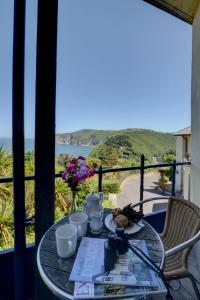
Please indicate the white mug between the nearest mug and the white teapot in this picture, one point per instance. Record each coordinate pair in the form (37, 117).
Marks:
(79, 220)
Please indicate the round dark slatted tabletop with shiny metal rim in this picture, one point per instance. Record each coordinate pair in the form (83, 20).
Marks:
(55, 271)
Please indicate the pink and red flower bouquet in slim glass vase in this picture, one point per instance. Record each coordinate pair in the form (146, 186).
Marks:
(76, 171)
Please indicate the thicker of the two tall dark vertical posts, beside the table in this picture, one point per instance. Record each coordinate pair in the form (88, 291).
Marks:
(45, 104)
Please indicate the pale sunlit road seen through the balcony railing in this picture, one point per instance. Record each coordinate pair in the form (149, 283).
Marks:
(130, 192)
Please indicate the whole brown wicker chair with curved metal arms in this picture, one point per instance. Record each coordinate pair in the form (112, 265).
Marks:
(181, 231)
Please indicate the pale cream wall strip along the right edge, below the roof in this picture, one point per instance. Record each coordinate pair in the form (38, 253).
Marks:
(195, 125)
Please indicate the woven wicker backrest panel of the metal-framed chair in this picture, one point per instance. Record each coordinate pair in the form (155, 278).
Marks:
(182, 223)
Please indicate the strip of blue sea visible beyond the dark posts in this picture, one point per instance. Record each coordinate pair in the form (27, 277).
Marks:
(75, 150)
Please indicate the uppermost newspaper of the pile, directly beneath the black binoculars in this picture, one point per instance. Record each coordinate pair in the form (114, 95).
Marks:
(89, 265)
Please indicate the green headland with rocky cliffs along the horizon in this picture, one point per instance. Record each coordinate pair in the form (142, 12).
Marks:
(145, 141)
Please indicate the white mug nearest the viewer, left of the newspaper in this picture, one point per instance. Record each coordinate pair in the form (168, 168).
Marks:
(66, 239)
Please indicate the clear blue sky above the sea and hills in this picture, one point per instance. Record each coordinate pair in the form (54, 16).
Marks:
(121, 64)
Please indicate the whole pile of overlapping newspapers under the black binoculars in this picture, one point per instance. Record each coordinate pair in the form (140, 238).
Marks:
(131, 276)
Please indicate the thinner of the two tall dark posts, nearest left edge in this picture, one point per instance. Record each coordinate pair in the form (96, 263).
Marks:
(18, 147)
